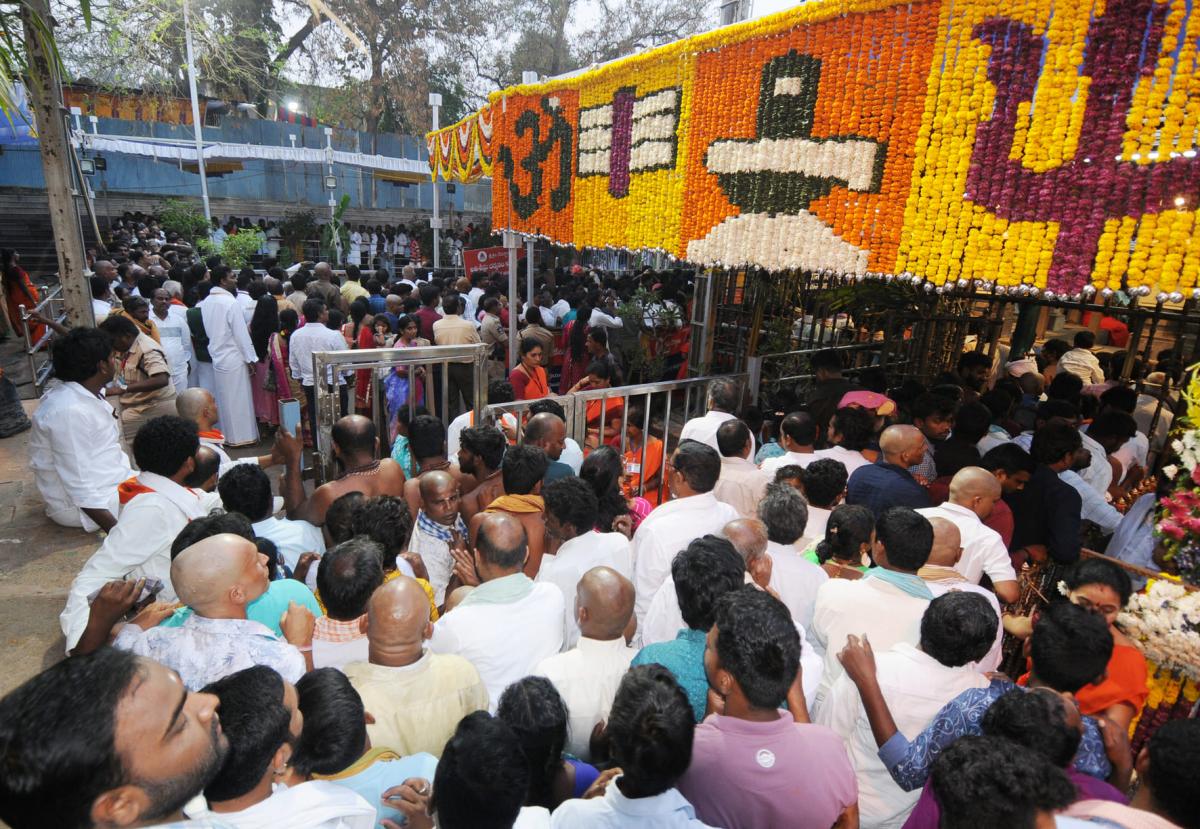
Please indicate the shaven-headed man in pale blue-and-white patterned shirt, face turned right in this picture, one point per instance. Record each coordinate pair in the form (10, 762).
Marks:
(218, 578)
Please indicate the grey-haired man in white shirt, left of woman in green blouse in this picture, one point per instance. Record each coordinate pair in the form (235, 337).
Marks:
(785, 515)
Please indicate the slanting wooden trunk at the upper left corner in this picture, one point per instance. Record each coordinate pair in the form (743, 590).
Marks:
(46, 103)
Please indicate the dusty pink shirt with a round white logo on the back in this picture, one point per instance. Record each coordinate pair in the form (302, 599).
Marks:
(747, 776)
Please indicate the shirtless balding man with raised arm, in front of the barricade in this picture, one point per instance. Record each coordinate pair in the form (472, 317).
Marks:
(357, 452)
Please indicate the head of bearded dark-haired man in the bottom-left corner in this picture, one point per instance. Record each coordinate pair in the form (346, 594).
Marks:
(104, 741)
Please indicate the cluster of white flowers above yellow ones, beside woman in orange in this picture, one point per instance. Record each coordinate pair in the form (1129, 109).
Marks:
(1166, 623)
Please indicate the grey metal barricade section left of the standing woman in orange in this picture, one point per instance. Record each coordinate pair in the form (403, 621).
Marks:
(327, 397)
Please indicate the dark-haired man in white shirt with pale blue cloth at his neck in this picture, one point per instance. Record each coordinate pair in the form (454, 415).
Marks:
(887, 605)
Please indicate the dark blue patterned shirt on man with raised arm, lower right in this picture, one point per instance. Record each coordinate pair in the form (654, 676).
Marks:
(909, 762)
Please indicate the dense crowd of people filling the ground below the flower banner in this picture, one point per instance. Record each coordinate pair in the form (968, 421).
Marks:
(787, 621)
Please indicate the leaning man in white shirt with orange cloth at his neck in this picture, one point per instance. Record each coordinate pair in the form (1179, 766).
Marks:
(158, 507)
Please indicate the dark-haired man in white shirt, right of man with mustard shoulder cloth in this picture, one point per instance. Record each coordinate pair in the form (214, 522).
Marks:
(572, 509)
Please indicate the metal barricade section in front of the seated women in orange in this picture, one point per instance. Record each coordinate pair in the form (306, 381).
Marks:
(671, 405)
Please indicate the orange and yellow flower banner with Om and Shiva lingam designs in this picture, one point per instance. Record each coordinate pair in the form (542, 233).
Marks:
(1049, 143)
